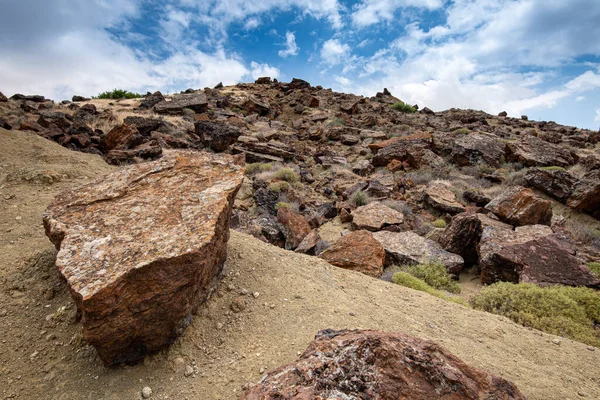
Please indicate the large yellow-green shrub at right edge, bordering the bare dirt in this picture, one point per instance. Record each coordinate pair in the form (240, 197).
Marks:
(559, 310)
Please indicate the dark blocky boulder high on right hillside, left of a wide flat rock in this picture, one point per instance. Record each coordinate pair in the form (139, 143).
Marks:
(477, 148)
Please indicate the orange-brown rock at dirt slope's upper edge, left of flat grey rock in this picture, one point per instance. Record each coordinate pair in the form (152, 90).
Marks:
(357, 251)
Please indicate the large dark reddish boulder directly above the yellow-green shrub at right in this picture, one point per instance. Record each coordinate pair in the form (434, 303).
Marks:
(531, 254)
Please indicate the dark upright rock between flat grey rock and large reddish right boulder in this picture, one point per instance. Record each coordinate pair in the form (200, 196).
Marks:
(462, 237)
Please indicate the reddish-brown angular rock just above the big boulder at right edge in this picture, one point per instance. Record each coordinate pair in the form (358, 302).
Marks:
(519, 206)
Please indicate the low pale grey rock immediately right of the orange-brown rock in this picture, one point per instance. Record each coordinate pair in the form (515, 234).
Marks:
(402, 248)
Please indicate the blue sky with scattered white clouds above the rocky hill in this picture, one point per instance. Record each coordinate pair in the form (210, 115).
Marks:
(539, 58)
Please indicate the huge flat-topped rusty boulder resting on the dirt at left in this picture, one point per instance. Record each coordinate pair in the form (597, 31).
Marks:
(141, 248)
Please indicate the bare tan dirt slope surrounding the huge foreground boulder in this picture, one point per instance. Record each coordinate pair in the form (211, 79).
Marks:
(236, 335)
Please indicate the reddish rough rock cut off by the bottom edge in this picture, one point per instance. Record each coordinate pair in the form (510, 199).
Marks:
(380, 366)
